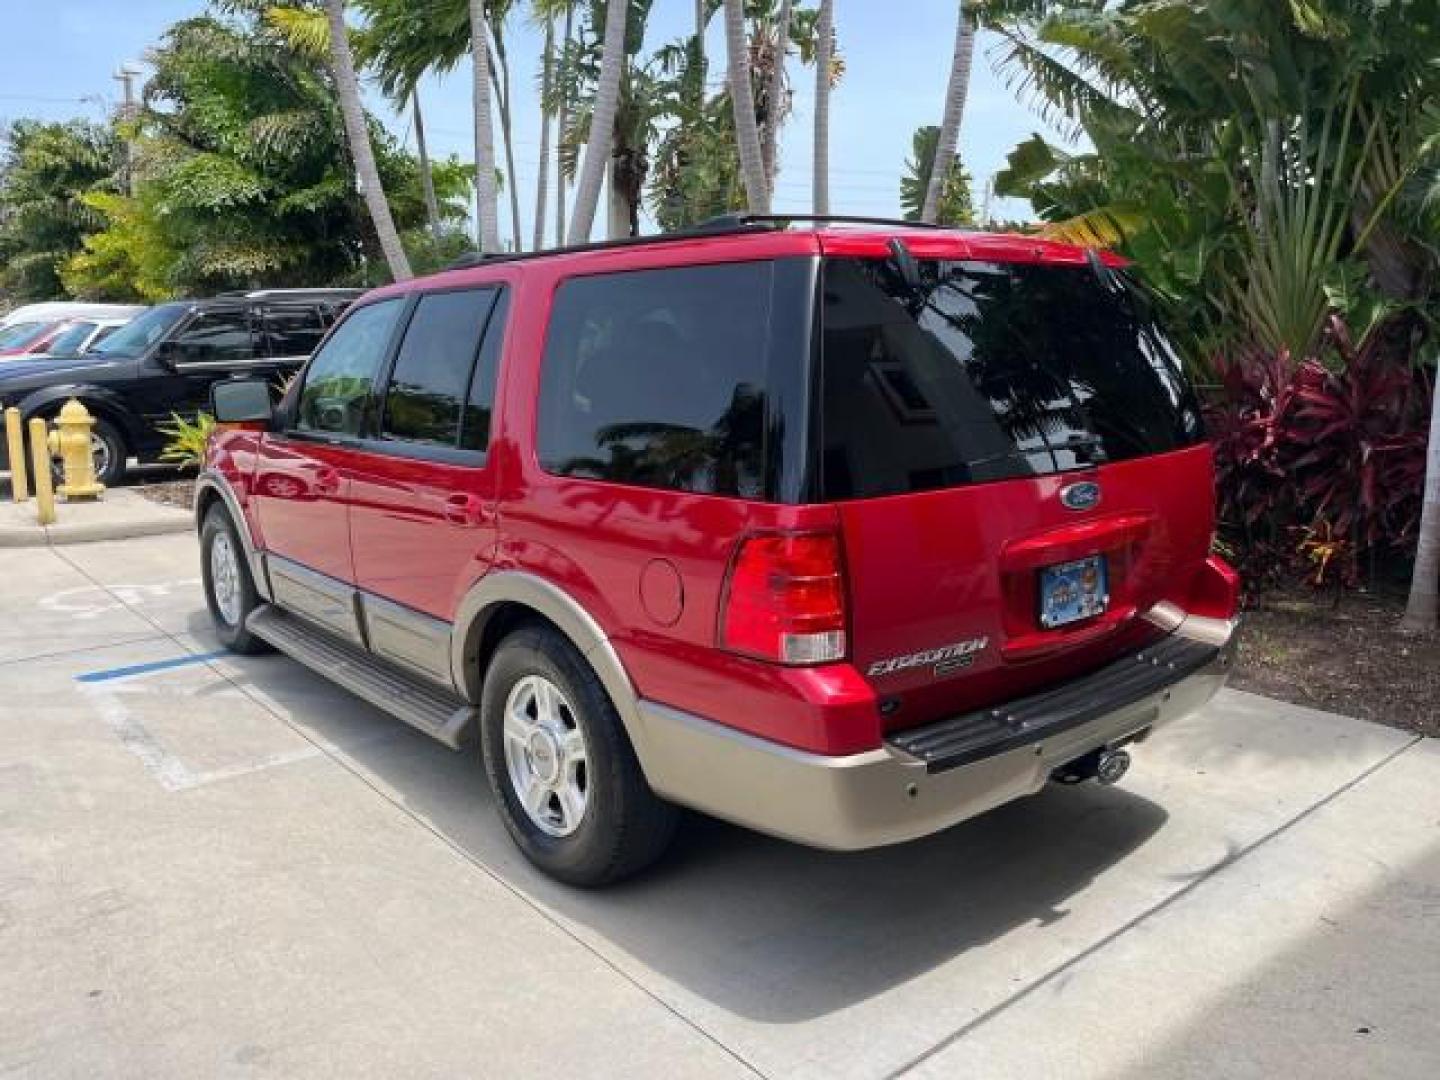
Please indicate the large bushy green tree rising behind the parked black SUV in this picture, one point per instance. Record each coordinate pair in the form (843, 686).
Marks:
(244, 176)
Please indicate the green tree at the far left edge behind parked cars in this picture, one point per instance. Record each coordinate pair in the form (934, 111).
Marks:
(45, 174)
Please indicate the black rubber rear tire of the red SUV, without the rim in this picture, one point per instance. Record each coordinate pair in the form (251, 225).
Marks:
(626, 826)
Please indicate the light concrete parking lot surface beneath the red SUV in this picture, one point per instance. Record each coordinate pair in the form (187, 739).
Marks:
(222, 866)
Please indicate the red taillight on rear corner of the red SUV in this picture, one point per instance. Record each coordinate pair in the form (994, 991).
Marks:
(786, 600)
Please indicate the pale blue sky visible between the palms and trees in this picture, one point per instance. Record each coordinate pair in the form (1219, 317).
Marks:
(61, 55)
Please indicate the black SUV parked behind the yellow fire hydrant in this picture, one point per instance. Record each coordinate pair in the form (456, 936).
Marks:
(165, 364)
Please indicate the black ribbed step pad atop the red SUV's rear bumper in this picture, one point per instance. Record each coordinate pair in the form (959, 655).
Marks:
(973, 737)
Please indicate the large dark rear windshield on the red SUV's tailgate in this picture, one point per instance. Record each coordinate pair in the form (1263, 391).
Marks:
(990, 372)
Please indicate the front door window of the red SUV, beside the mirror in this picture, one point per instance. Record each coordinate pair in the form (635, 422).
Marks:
(341, 377)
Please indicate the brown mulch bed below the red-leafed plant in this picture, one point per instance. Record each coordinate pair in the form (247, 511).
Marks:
(1350, 659)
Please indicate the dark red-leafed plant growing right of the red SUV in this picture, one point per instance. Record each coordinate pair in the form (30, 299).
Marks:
(1307, 450)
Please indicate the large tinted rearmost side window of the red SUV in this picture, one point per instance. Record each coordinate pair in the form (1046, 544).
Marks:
(659, 378)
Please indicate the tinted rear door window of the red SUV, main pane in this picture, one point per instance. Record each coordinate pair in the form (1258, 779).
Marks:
(426, 401)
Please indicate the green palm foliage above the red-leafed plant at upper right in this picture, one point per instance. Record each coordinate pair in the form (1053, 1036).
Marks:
(1245, 155)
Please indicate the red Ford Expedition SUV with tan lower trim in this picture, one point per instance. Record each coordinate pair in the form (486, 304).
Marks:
(843, 534)
